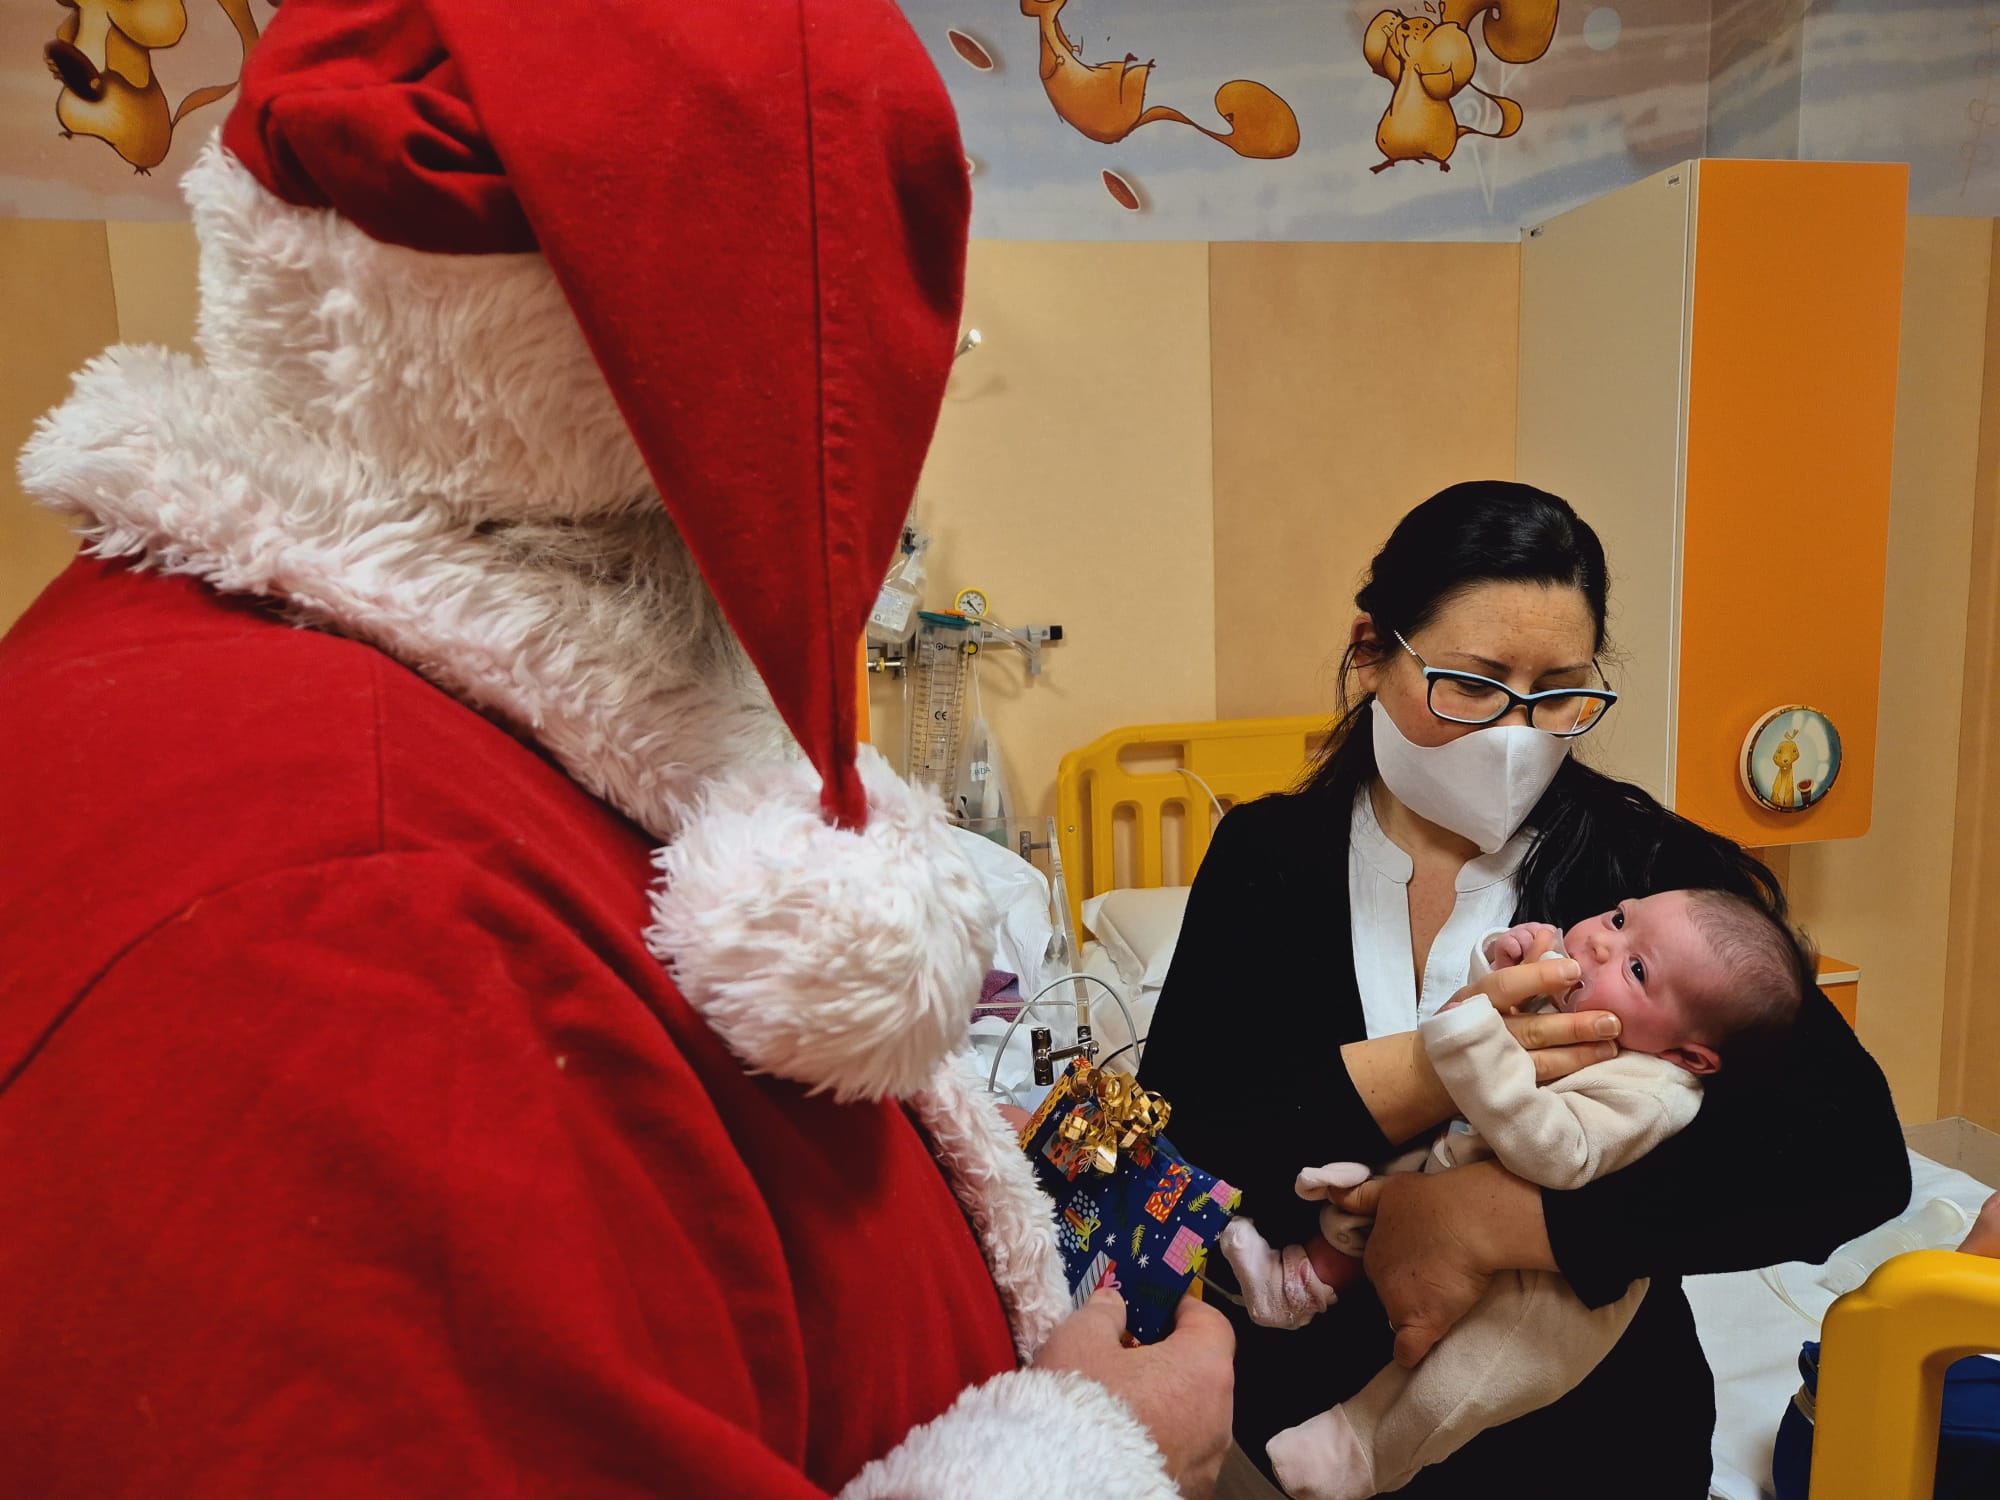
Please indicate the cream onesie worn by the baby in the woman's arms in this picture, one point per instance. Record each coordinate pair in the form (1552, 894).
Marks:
(1531, 1339)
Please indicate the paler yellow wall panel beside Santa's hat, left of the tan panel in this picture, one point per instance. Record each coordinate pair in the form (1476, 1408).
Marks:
(1071, 481)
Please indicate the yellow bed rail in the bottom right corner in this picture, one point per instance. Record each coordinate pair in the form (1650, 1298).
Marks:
(1883, 1357)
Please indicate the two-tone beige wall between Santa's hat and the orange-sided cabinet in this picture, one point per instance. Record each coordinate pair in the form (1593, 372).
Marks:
(1185, 455)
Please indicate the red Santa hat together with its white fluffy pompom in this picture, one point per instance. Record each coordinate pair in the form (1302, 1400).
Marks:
(757, 211)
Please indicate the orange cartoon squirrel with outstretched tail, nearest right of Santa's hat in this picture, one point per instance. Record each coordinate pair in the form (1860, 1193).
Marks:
(1107, 101)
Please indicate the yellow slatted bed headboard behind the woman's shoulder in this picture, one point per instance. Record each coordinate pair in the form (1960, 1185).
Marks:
(1135, 777)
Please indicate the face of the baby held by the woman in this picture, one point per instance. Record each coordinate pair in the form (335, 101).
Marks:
(1649, 965)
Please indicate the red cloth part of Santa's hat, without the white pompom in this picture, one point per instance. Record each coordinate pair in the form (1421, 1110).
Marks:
(757, 211)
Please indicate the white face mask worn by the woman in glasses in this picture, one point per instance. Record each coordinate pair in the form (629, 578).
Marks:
(1483, 785)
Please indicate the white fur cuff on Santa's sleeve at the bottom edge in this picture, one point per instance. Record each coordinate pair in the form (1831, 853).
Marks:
(1027, 1435)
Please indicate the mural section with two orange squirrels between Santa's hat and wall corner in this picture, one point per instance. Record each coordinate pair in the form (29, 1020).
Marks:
(1443, 119)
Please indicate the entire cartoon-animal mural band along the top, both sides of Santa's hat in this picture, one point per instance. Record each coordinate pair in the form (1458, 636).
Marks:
(1203, 119)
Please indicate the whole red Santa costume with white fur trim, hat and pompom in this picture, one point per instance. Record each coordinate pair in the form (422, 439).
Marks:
(469, 1021)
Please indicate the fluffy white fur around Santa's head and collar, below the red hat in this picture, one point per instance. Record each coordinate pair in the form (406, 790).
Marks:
(421, 453)
